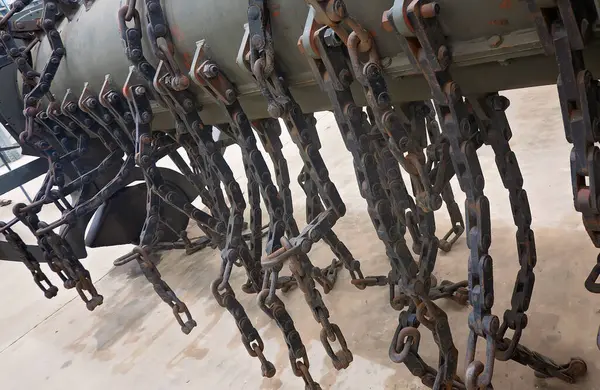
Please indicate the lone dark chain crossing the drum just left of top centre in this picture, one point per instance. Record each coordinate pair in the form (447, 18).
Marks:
(302, 129)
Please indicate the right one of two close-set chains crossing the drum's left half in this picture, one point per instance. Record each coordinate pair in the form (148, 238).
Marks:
(171, 85)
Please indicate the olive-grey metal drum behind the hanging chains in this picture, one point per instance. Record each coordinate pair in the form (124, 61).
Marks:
(94, 48)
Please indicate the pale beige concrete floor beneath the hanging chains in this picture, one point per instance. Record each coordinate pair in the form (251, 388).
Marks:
(132, 341)
